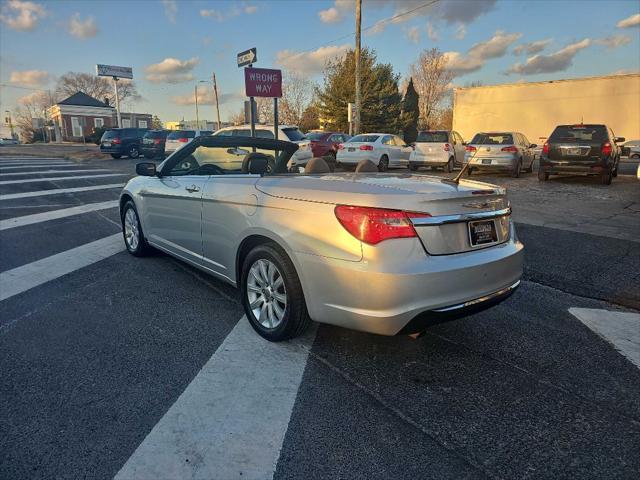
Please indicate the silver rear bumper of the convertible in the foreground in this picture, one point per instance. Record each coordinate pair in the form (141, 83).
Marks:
(386, 297)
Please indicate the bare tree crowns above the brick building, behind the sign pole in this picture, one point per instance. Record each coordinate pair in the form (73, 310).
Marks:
(97, 87)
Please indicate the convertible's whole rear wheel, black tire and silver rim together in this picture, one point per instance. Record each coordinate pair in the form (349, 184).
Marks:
(259, 284)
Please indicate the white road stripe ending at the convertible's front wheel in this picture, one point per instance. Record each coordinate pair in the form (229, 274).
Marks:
(26, 277)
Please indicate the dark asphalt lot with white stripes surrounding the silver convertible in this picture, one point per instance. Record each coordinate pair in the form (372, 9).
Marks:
(144, 367)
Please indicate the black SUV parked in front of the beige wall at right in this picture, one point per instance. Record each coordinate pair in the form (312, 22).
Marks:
(590, 149)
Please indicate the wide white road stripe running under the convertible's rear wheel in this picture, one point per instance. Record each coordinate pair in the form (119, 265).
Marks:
(231, 420)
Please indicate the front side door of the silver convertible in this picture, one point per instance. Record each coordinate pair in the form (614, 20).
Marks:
(173, 208)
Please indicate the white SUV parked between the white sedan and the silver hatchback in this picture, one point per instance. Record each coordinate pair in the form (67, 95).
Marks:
(437, 148)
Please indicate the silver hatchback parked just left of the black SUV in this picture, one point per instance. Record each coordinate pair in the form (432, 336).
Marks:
(501, 151)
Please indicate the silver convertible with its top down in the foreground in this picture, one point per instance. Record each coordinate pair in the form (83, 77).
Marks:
(377, 252)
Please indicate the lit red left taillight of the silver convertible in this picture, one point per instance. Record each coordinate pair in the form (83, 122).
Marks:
(374, 225)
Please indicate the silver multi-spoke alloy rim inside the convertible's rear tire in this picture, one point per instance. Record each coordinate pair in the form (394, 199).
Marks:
(266, 293)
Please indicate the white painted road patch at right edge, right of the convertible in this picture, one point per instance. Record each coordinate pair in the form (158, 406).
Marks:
(622, 329)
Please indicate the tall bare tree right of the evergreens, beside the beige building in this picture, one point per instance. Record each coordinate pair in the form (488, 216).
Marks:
(432, 82)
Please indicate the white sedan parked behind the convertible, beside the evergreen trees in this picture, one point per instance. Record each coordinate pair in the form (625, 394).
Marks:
(382, 149)
